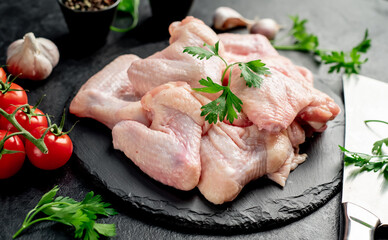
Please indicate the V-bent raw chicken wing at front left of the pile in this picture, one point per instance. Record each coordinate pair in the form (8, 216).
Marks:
(167, 150)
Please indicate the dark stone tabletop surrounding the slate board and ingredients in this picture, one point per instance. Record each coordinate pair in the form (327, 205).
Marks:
(338, 24)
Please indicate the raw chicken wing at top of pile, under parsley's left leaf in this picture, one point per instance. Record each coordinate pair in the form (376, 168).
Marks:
(171, 64)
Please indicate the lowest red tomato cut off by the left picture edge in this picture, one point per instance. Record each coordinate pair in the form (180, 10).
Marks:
(11, 163)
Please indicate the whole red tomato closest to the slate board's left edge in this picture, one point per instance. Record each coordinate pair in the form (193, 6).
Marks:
(59, 150)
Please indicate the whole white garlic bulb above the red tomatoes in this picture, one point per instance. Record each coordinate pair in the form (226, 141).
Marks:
(32, 58)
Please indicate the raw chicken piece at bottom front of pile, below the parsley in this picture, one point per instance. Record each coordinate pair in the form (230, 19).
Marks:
(233, 156)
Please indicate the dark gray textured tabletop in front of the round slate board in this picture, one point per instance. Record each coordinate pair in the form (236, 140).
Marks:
(131, 224)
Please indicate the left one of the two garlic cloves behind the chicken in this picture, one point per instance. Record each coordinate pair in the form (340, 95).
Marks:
(227, 18)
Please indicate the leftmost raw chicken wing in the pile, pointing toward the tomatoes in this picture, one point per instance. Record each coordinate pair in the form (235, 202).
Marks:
(108, 96)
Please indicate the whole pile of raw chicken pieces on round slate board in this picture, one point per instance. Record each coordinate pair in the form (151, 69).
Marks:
(155, 116)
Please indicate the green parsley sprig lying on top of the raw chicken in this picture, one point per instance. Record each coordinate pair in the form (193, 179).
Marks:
(227, 103)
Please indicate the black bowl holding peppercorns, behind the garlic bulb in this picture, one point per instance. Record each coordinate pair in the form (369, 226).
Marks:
(89, 28)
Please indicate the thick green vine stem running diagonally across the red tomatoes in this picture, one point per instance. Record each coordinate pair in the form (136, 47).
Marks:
(39, 143)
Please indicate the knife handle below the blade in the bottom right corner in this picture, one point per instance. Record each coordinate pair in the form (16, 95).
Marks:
(359, 222)
